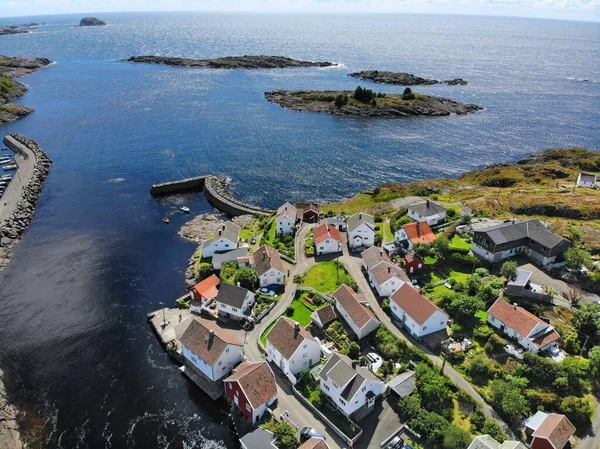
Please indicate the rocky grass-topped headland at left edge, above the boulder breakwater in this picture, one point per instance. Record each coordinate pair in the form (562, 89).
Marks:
(11, 68)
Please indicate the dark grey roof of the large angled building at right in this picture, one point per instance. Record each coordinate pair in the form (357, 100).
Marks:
(519, 229)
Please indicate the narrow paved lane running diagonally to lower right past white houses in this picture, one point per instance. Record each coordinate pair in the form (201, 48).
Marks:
(354, 266)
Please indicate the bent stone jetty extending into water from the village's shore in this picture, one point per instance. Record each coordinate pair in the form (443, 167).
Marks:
(215, 191)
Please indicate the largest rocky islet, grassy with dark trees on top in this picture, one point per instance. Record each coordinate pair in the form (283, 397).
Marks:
(366, 103)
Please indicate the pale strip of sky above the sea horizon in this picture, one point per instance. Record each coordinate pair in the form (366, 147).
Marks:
(586, 10)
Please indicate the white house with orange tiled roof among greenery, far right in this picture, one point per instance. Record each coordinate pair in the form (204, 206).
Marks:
(531, 332)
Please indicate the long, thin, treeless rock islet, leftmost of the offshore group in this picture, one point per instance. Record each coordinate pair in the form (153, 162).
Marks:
(231, 62)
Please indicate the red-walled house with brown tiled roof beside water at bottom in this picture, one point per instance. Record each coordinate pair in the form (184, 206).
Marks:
(252, 388)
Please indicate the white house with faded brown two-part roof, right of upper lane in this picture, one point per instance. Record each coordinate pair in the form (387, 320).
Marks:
(384, 276)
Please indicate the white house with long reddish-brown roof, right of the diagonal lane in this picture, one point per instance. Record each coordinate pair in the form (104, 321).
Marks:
(418, 315)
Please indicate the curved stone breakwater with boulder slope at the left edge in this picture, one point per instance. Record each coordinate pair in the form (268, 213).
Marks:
(12, 228)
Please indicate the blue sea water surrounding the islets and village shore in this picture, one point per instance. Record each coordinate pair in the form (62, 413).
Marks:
(79, 356)
